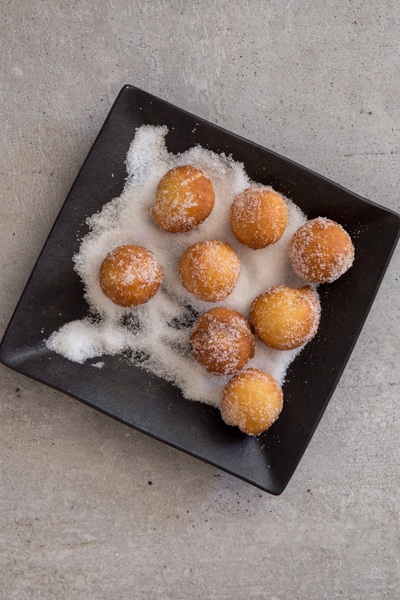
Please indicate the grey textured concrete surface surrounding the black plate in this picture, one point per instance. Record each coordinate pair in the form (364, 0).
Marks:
(317, 82)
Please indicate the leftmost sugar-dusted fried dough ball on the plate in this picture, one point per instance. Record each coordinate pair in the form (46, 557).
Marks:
(130, 275)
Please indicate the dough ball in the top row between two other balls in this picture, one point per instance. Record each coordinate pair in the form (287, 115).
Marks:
(258, 217)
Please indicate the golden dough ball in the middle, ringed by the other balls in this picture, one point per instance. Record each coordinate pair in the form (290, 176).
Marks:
(209, 270)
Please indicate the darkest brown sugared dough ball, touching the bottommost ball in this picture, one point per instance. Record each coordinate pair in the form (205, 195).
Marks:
(222, 341)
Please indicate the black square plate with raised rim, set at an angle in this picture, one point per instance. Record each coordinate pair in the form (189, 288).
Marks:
(53, 296)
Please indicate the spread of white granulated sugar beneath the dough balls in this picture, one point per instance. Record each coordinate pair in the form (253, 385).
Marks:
(156, 335)
